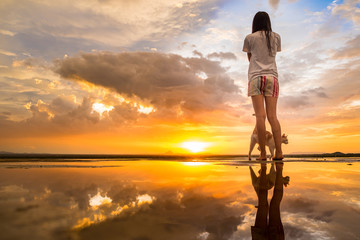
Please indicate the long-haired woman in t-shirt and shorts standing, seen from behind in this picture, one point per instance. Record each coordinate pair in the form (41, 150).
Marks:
(263, 87)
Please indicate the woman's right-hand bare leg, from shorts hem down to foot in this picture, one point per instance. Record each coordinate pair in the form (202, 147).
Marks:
(275, 125)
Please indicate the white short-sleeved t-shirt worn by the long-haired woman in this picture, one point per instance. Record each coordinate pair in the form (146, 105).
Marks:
(261, 63)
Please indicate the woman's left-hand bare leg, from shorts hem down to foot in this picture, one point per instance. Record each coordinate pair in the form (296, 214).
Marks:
(258, 104)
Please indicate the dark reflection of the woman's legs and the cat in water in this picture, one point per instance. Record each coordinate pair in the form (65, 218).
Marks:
(274, 229)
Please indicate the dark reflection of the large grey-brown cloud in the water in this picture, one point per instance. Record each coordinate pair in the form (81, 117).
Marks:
(193, 215)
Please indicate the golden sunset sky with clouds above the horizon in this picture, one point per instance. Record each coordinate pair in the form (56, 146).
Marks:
(140, 76)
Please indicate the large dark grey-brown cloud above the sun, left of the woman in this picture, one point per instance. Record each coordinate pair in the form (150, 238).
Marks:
(165, 80)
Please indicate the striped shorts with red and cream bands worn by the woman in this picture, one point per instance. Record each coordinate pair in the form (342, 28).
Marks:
(264, 85)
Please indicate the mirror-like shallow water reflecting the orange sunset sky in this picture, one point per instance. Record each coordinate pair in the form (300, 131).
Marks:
(143, 199)
